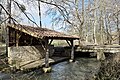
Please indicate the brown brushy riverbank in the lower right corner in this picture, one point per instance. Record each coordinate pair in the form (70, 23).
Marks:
(110, 69)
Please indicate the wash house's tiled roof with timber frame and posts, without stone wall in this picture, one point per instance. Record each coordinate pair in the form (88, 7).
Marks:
(22, 35)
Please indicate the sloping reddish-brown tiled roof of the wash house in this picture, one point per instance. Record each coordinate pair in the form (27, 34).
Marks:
(42, 32)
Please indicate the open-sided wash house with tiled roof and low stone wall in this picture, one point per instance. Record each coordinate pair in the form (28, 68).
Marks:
(28, 44)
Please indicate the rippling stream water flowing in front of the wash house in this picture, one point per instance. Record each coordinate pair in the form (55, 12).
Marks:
(81, 69)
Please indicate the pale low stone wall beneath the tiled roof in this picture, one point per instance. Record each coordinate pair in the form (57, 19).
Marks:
(18, 56)
